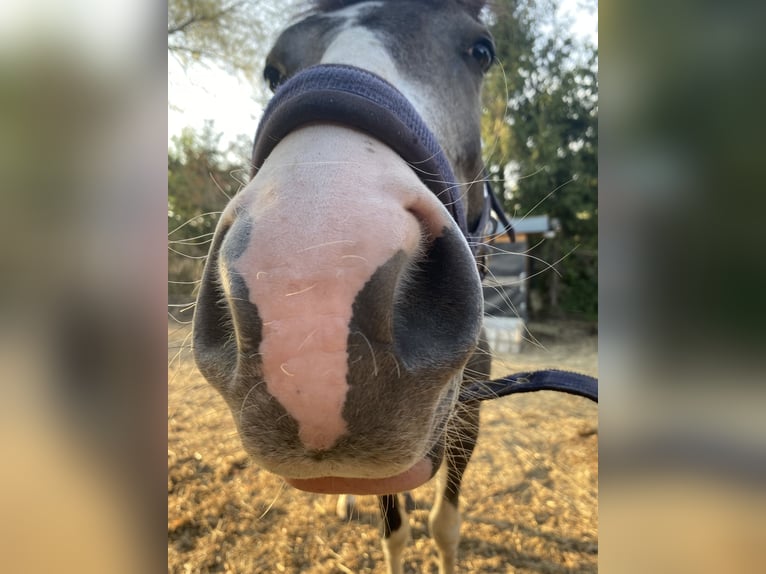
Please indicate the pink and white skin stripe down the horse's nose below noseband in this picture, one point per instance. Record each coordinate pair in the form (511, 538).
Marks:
(332, 205)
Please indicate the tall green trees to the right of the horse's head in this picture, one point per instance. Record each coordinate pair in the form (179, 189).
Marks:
(541, 135)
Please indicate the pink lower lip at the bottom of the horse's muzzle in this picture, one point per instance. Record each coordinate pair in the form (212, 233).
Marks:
(411, 478)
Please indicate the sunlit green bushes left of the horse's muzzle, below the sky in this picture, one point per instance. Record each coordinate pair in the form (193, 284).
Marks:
(200, 180)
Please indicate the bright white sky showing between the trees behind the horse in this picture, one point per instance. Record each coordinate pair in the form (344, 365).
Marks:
(211, 94)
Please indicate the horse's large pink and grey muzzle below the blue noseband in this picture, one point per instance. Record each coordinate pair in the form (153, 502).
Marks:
(338, 307)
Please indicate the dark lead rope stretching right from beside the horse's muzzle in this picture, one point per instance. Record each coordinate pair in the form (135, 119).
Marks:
(546, 380)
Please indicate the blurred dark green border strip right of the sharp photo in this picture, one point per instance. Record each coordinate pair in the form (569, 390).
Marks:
(682, 441)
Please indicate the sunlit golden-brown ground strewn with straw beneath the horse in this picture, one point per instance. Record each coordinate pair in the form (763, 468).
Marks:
(530, 497)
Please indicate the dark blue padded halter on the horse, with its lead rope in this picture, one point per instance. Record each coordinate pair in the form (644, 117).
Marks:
(358, 98)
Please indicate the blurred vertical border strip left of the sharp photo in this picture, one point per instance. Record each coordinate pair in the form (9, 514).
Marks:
(83, 311)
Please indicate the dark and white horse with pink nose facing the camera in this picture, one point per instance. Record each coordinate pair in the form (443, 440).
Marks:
(340, 309)
